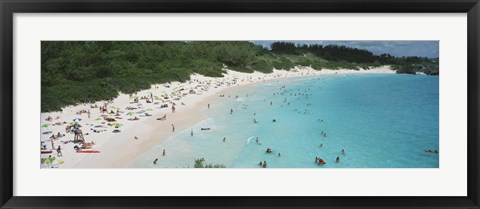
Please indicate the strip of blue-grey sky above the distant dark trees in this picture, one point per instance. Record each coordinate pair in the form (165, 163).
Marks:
(395, 48)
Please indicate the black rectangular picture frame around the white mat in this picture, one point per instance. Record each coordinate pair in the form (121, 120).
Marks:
(9, 7)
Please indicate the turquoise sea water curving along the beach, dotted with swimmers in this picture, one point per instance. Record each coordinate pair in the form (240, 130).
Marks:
(380, 120)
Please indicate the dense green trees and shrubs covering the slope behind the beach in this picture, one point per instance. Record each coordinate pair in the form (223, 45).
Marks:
(87, 71)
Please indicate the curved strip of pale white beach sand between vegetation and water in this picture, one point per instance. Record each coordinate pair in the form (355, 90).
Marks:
(120, 149)
